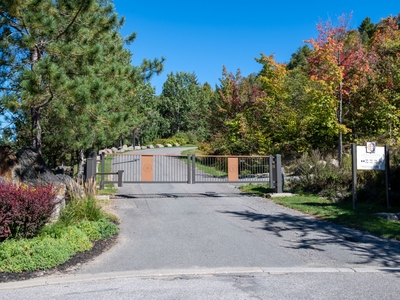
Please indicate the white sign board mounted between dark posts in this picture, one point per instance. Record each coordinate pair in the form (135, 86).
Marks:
(370, 160)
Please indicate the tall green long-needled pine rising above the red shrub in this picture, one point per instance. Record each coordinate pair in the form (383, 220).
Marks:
(64, 70)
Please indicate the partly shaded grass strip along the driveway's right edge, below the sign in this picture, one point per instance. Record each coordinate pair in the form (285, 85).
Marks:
(341, 213)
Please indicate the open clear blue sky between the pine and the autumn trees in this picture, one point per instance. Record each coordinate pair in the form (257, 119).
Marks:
(202, 36)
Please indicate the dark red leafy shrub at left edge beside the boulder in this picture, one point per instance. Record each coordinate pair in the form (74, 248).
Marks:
(24, 210)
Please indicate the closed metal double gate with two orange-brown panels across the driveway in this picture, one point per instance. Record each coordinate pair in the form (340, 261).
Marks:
(137, 168)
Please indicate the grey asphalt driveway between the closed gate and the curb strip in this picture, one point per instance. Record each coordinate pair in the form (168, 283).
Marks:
(213, 226)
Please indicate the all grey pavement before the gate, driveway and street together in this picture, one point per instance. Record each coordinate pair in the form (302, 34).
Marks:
(202, 241)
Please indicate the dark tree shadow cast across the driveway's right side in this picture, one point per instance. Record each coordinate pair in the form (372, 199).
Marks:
(317, 235)
